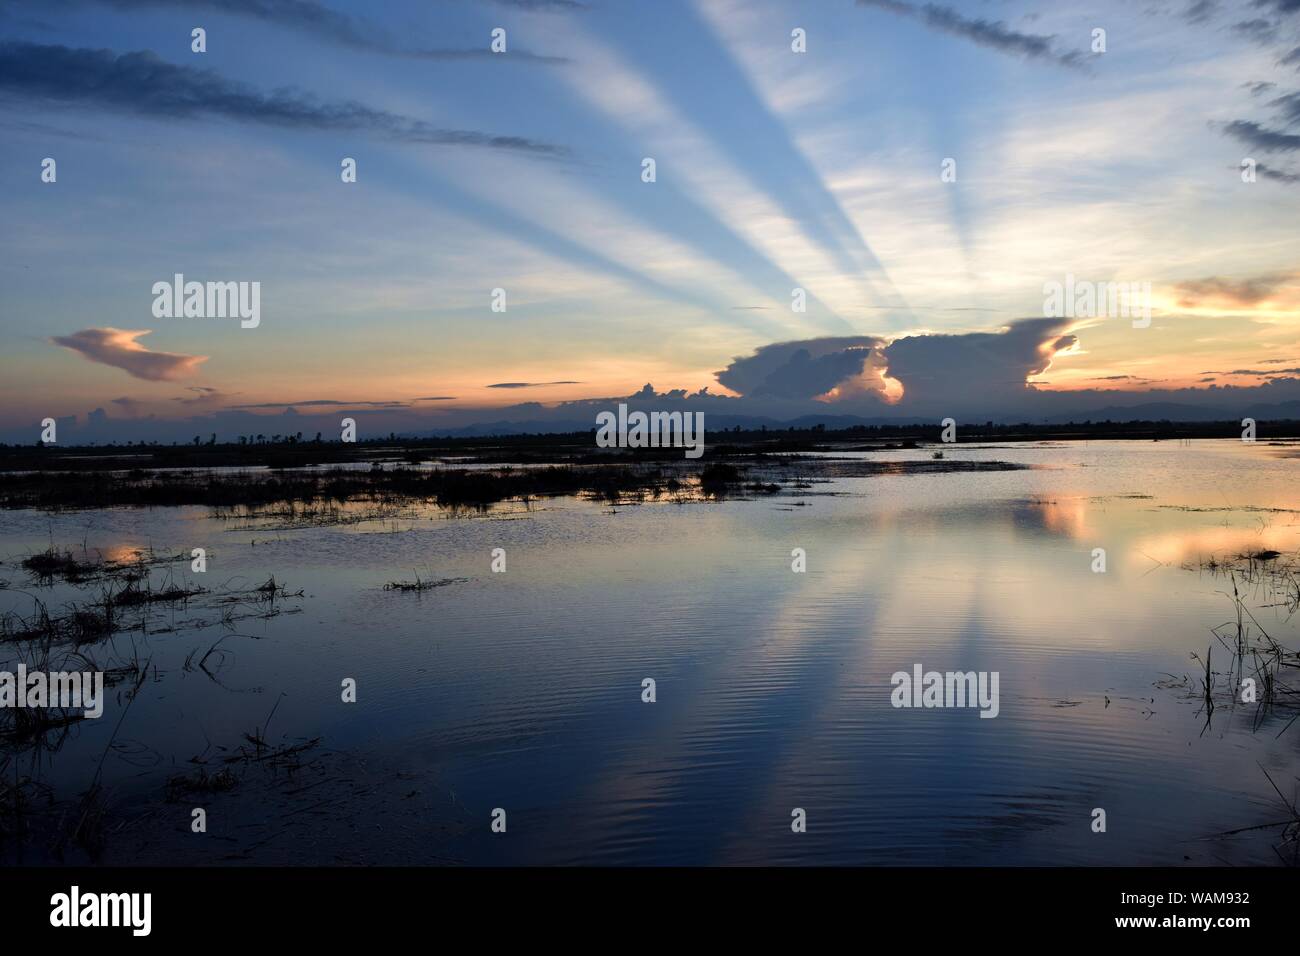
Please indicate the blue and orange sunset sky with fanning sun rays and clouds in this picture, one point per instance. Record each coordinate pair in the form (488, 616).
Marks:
(920, 175)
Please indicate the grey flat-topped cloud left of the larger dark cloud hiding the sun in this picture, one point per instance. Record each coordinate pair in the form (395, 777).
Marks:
(800, 370)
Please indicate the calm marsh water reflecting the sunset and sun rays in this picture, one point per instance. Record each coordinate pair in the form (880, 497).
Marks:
(523, 690)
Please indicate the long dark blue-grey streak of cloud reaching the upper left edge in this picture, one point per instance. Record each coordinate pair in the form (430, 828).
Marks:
(142, 83)
